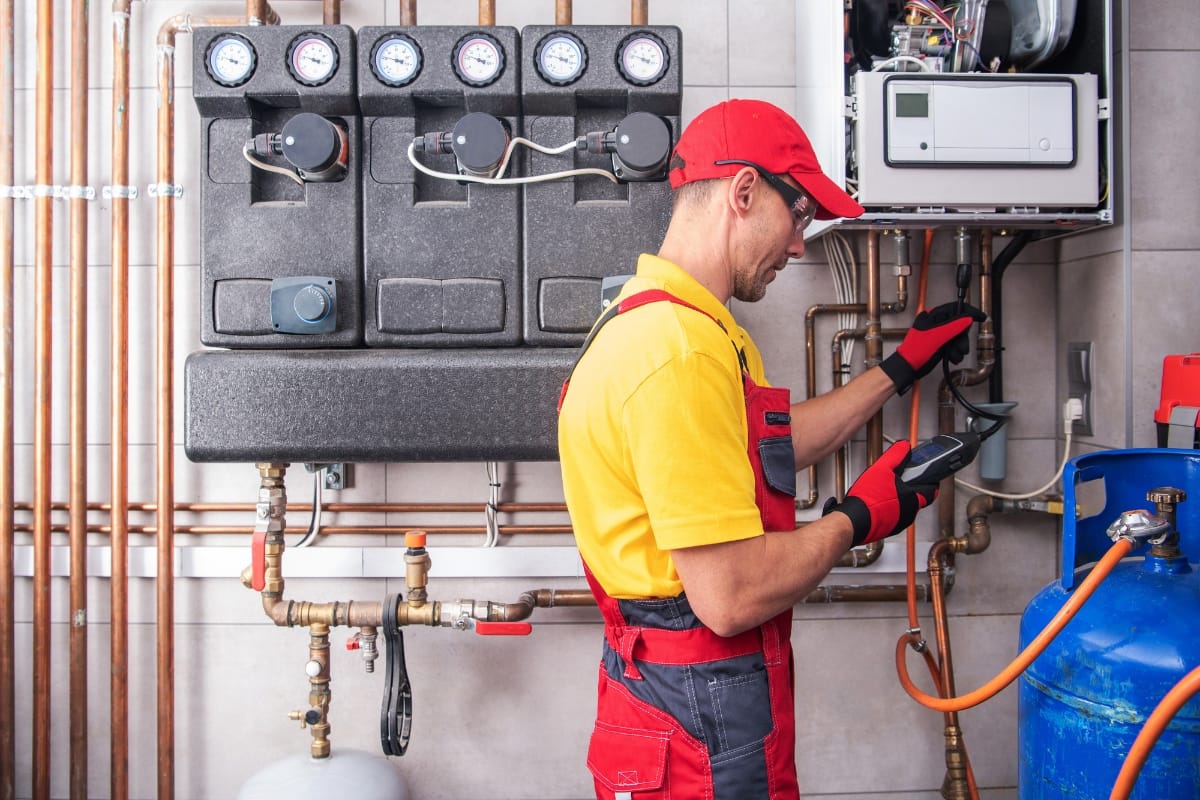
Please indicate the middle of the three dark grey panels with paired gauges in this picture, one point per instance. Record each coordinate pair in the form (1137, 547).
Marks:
(448, 244)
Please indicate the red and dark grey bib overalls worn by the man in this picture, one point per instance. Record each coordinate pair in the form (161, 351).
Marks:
(683, 713)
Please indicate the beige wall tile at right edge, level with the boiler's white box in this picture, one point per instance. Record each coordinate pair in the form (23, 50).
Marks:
(1163, 157)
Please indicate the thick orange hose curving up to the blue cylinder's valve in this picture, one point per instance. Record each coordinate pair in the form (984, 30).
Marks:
(993, 688)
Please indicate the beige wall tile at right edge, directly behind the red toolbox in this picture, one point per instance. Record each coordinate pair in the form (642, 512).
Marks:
(1165, 302)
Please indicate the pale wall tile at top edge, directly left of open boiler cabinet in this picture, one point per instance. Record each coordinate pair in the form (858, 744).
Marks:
(763, 45)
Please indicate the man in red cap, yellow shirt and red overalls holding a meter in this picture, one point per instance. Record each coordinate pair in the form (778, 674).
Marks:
(680, 473)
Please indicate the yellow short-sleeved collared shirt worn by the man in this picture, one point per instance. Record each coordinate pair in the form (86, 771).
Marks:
(652, 437)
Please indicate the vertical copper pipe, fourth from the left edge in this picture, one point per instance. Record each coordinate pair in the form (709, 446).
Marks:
(119, 466)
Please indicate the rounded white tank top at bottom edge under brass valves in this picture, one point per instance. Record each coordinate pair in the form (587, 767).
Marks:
(345, 773)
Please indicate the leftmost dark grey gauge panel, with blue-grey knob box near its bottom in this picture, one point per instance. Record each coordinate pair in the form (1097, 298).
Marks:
(259, 226)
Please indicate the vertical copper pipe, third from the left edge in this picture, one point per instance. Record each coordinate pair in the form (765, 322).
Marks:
(79, 459)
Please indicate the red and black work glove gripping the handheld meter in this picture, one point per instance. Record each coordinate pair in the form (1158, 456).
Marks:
(880, 504)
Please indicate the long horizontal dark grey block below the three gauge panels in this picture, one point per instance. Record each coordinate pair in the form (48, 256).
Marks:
(374, 405)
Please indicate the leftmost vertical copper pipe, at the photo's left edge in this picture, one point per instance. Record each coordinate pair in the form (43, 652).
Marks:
(8, 619)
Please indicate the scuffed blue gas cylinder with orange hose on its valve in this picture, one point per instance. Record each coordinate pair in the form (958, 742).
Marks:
(1083, 702)
